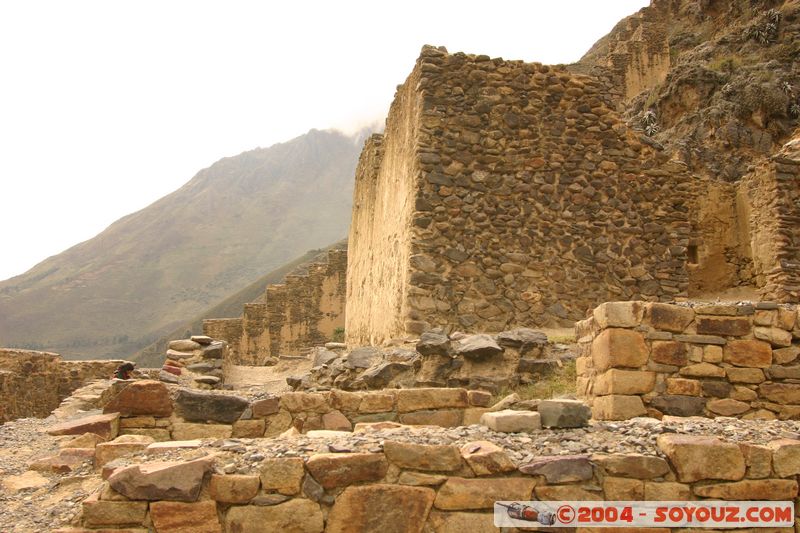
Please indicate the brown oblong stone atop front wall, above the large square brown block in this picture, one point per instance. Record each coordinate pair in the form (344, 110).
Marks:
(341, 469)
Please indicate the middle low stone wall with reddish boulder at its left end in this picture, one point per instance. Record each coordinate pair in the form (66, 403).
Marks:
(150, 408)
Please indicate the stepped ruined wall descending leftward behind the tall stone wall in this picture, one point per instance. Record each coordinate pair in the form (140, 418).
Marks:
(304, 311)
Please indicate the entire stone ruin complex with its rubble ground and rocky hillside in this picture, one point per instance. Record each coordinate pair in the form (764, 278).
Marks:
(561, 283)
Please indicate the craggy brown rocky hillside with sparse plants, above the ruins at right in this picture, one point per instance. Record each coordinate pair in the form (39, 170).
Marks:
(718, 80)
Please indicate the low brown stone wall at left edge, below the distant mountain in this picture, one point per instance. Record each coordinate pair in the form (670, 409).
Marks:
(33, 384)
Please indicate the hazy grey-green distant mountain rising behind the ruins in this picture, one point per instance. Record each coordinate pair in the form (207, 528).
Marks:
(149, 271)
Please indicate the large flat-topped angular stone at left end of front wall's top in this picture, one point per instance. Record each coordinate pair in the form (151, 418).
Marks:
(174, 481)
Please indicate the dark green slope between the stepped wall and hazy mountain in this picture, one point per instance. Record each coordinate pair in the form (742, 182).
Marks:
(153, 355)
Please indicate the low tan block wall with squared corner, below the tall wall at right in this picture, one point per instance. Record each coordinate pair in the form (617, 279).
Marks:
(652, 359)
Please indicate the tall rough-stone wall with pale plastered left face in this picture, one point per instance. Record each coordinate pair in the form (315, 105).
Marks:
(532, 201)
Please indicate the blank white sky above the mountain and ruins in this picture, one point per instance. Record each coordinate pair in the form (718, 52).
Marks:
(105, 106)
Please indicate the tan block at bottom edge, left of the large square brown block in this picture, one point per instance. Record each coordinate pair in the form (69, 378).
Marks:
(297, 516)
